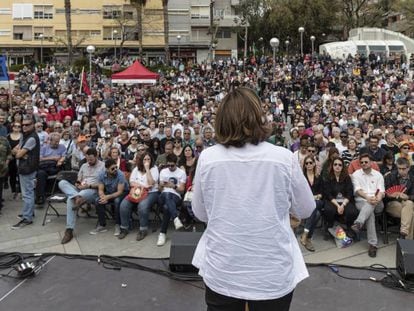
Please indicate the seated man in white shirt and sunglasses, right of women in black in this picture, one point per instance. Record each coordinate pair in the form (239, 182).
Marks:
(369, 192)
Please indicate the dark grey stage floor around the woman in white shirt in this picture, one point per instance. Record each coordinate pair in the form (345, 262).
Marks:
(75, 284)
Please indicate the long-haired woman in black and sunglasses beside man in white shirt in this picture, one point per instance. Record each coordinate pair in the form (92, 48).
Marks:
(338, 196)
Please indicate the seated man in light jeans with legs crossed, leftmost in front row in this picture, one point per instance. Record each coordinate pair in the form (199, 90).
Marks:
(85, 190)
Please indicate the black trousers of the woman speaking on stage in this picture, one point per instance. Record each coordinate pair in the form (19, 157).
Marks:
(217, 302)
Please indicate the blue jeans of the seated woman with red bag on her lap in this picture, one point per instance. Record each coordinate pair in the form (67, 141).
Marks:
(144, 208)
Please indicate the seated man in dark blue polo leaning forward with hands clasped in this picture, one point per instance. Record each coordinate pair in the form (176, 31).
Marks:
(112, 188)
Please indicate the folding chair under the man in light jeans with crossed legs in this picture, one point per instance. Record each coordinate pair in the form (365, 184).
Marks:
(57, 196)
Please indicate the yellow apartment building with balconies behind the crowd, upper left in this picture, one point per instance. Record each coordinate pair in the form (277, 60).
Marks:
(29, 28)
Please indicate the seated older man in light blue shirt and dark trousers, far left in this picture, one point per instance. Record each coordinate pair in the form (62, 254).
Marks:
(52, 156)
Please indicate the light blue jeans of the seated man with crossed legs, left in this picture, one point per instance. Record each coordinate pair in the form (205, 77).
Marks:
(71, 191)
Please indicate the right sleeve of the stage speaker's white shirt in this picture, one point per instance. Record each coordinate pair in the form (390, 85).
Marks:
(303, 202)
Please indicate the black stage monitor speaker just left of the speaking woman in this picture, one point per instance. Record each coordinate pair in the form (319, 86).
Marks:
(183, 245)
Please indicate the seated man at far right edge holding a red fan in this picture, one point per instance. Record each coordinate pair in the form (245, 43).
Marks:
(400, 203)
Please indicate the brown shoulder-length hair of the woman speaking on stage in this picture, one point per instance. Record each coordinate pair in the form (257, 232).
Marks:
(240, 119)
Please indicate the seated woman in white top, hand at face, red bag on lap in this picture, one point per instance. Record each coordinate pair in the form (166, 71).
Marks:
(144, 175)
